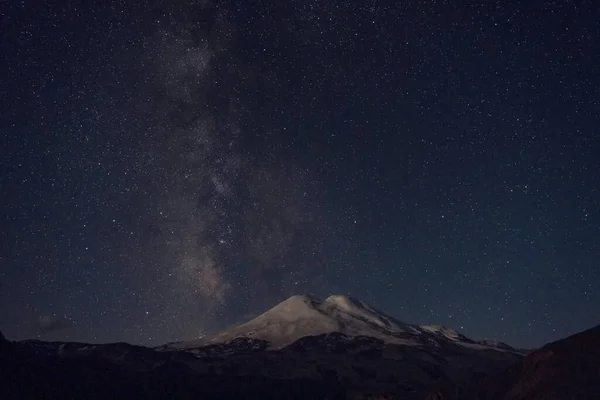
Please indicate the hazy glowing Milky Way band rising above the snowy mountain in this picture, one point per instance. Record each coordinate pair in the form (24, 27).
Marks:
(230, 223)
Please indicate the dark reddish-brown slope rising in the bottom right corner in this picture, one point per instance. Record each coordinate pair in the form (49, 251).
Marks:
(565, 369)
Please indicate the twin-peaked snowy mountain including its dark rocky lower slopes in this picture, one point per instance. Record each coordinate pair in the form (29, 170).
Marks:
(344, 340)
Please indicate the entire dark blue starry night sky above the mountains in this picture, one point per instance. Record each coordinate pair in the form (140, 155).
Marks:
(168, 169)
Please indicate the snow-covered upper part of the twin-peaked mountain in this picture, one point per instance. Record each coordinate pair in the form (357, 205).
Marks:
(302, 315)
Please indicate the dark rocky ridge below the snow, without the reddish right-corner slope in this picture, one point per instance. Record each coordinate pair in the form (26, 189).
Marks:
(329, 366)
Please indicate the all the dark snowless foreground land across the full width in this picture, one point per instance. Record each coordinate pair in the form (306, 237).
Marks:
(329, 366)
